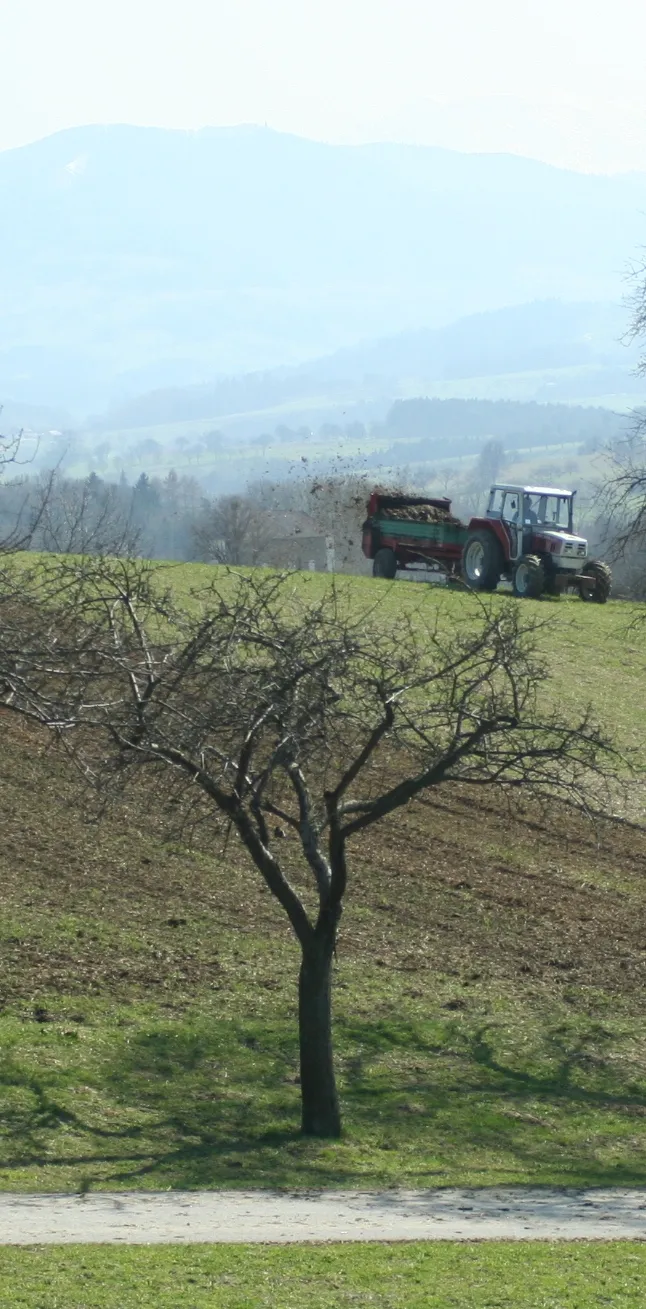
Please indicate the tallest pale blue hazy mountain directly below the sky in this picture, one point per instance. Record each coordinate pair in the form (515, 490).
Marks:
(139, 259)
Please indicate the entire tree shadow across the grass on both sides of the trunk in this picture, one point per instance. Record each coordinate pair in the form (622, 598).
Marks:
(210, 1105)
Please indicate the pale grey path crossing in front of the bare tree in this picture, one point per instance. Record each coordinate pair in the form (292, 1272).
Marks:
(141, 1218)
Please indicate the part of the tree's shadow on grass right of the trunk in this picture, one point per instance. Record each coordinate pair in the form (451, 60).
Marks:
(583, 1109)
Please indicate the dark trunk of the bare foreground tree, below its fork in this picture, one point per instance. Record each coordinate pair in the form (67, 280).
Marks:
(320, 1100)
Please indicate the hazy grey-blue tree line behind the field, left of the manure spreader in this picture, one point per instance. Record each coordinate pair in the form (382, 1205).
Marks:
(173, 519)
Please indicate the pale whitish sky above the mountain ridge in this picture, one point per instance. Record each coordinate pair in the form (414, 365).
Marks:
(559, 81)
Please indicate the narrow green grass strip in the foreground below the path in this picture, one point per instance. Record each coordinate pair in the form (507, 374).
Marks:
(403, 1277)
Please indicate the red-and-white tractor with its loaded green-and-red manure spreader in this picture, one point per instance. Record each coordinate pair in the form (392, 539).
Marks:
(526, 536)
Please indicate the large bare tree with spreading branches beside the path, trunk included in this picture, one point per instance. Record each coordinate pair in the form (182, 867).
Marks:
(288, 718)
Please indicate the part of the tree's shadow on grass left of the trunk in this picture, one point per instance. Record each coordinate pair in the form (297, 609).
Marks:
(194, 1107)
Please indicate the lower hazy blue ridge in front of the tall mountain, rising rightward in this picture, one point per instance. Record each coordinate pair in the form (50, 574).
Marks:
(563, 351)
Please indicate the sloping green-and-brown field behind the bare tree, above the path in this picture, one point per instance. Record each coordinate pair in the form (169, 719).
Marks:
(490, 982)
